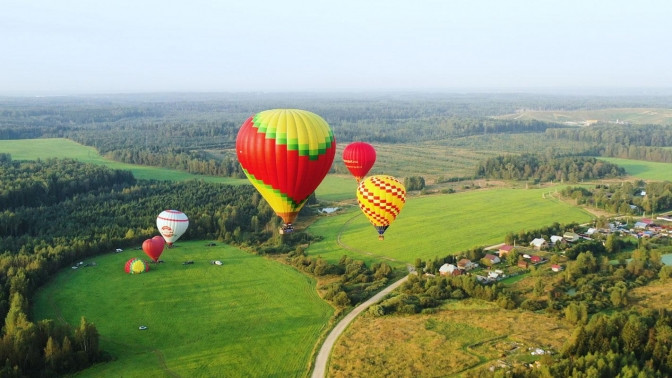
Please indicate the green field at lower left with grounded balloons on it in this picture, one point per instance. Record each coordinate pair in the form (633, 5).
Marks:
(249, 317)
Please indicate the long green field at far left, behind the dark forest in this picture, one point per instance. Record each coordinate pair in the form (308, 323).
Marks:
(32, 149)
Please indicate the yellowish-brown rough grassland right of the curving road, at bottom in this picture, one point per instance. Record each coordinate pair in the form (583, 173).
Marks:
(463, 337)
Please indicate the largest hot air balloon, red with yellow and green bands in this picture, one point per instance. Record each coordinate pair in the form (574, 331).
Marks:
(285, 153)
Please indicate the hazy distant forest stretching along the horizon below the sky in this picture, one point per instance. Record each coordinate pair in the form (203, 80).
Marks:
(197, 133)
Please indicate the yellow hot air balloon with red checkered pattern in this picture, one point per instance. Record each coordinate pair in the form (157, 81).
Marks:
(381, 198)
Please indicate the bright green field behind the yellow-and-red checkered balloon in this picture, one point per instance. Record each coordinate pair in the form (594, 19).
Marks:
(440, 225)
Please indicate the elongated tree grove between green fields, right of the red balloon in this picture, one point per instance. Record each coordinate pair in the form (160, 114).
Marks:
(542, 168)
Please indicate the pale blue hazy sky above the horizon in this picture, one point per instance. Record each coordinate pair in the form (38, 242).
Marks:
(50, 47)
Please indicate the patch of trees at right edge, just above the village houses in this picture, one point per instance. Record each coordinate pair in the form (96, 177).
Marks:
(625, 198)
